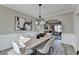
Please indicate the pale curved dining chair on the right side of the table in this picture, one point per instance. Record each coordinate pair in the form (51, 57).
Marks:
(44, 48)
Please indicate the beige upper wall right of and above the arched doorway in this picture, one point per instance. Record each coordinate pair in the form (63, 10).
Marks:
(66, 19)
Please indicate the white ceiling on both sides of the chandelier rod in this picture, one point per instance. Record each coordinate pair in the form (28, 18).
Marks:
(46, 9)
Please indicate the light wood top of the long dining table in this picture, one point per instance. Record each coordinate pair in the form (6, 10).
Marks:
(33, 42)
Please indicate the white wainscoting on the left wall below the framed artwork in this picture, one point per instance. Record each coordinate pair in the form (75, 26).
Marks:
(6, 40)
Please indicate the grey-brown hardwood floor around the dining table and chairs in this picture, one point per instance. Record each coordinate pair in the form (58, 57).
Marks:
(68, 50)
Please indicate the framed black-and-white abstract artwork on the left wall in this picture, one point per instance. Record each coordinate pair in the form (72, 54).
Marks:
(22, 24)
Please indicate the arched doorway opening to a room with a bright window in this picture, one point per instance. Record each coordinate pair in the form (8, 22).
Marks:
(54, 27)
